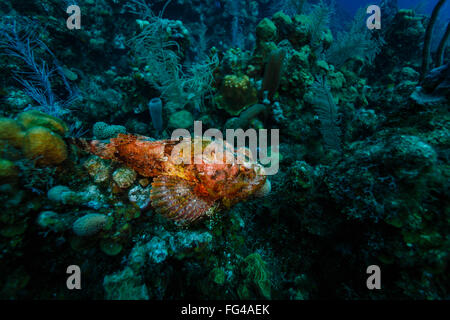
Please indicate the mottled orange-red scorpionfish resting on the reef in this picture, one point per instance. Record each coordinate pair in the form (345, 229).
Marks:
(185, 191)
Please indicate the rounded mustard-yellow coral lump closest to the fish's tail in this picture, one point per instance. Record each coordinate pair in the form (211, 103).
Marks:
(45, 146)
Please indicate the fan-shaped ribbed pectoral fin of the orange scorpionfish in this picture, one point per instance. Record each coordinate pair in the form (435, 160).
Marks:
(175, 199)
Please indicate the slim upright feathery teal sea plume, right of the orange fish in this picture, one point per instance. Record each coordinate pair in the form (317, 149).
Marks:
(327, 111)
